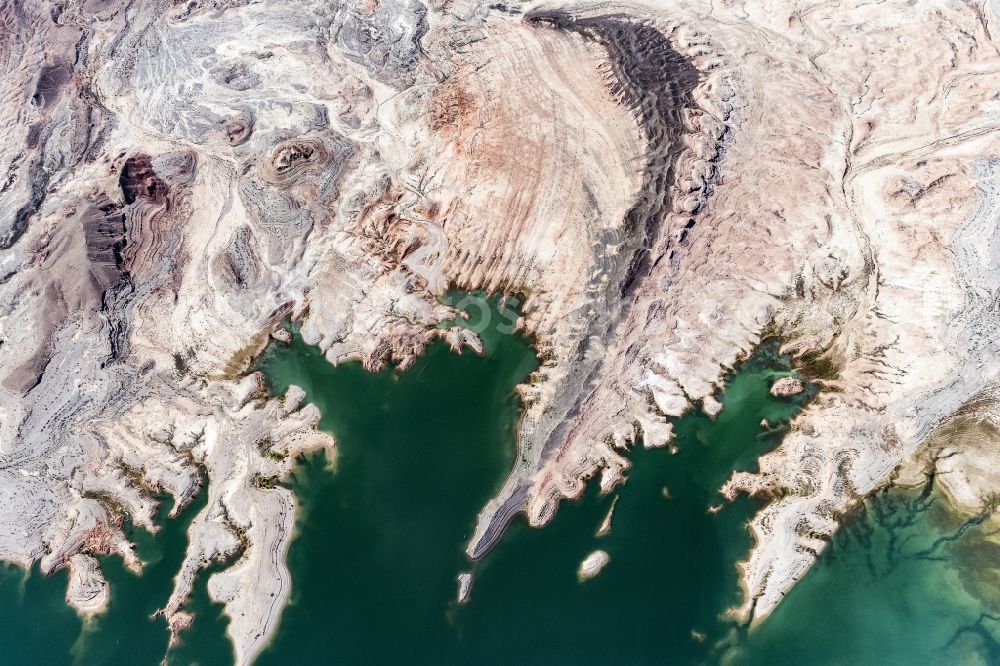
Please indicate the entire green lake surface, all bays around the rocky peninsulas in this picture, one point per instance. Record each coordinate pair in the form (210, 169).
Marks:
(382, 531)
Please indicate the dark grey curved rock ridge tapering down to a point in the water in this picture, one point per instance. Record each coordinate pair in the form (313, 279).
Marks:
(654, 82)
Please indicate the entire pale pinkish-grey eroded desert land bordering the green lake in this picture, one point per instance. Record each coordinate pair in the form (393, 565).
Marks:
(667, 184)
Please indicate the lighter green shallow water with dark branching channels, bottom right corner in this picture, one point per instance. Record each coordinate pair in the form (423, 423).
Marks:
(905, 581)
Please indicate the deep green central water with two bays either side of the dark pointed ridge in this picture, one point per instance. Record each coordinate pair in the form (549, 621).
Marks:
(381, 539)
